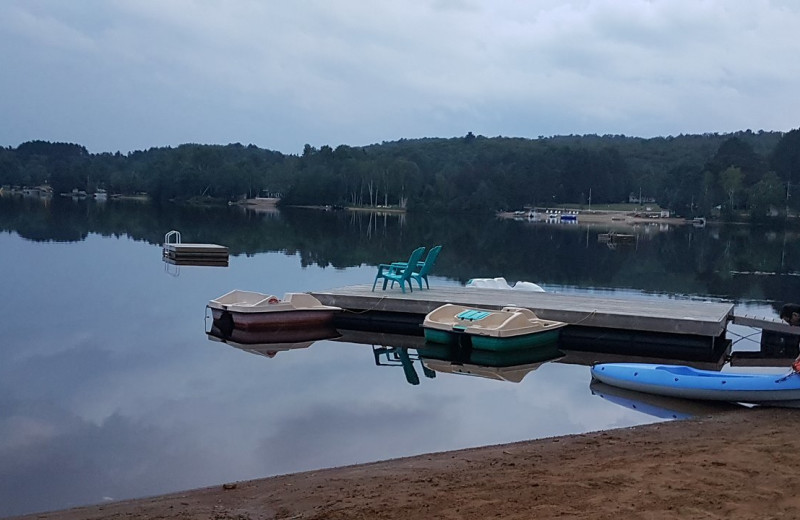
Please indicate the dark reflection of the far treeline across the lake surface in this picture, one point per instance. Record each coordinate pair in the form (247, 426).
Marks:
(721, 261)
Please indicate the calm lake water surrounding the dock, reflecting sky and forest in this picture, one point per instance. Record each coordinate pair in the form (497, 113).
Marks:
(110, 388)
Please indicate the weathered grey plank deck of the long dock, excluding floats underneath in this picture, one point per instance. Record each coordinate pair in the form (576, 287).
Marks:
(705, 318)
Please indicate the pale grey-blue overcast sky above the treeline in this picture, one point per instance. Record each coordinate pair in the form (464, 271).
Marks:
(132, 74)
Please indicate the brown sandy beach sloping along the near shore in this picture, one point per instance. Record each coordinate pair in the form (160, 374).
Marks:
(742, 464)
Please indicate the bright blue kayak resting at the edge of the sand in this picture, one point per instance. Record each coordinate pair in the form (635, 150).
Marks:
(691, 383)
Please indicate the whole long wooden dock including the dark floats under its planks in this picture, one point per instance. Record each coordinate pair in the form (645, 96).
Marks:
(648, 323)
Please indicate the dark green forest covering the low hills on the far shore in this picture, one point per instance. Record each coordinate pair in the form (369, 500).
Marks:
(757, 173)
